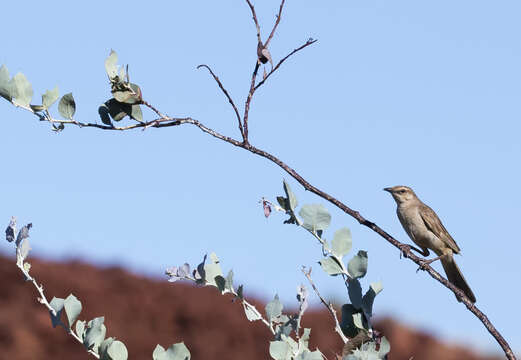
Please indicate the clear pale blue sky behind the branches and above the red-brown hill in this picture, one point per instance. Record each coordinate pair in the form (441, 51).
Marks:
(404, 92)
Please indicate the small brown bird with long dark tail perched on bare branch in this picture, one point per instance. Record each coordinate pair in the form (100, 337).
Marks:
(425, 229)
